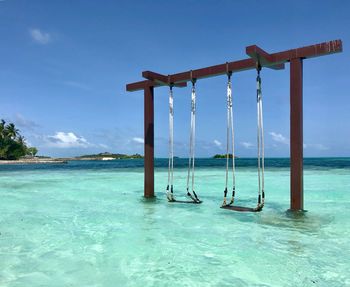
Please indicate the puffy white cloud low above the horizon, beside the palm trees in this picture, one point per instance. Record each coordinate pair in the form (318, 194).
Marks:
(67, 140)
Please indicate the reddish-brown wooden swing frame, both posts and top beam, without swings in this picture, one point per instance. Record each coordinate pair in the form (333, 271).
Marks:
(257, 56)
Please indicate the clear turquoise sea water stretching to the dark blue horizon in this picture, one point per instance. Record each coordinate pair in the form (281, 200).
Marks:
(87, 224)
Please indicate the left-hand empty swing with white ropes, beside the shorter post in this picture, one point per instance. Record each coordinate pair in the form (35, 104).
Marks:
(193, 198)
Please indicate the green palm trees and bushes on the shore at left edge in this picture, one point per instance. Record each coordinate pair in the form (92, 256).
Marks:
(12, 143)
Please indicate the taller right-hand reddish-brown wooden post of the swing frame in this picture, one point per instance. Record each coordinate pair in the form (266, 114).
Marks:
(296, 135)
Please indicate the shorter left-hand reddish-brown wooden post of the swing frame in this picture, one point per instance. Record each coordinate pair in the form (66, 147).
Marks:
(149, 141)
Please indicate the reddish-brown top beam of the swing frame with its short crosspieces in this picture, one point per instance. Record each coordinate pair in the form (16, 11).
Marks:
(275, 60)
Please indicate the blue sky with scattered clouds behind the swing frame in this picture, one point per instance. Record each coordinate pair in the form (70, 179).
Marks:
(64, 66)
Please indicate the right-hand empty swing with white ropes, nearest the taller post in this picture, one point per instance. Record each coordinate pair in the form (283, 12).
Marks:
(260, 144)
